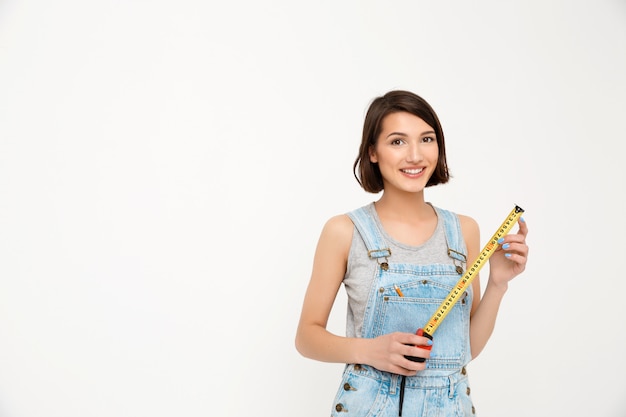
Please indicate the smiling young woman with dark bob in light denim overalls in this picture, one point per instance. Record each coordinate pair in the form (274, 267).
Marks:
(398, 258)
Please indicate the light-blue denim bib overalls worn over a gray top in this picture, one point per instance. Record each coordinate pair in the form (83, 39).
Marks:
(441, 390)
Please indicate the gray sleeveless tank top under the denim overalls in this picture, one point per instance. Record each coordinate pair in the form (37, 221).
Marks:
(361, 270)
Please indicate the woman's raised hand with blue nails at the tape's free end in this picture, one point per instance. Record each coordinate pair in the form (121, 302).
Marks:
(509, 260)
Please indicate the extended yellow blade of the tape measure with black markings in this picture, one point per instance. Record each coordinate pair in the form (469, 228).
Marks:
(470, 274)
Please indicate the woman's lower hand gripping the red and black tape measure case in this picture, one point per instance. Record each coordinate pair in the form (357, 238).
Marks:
(388, 353)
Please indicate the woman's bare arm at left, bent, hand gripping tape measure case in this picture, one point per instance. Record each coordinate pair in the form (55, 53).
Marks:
(315, 342)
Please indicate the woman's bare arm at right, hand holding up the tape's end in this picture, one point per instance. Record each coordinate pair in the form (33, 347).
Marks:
(502, 269)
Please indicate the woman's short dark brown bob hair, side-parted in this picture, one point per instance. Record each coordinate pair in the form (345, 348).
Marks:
(368, 173)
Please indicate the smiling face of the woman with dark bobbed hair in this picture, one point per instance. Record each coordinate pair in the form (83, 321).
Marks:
(406, 152)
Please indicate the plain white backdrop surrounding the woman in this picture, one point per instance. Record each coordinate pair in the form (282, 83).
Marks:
(166, 168)
